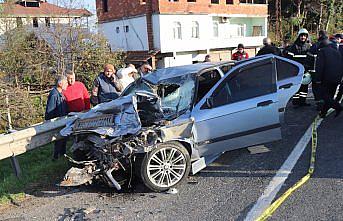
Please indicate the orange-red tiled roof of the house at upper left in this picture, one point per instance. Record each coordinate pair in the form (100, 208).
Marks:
(45, 10)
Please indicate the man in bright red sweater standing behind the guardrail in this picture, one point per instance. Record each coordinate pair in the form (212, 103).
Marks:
(76, 94)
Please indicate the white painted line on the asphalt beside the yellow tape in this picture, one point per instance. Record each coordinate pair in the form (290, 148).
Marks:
(279, 179)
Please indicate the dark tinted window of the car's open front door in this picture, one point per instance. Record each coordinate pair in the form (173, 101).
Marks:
(247, 82)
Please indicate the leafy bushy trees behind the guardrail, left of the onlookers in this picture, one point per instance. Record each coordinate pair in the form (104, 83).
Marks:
(30, 59)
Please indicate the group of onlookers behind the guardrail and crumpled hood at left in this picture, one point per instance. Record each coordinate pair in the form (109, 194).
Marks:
(70, 95)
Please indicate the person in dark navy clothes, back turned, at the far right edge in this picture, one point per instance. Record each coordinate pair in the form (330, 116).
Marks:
(329, 72)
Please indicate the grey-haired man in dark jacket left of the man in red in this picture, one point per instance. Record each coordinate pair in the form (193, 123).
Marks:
(57, 107)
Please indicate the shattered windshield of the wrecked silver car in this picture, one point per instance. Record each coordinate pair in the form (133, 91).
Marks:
(176, 93)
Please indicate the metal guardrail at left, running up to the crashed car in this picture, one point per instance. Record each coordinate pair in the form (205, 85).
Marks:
(19, 142)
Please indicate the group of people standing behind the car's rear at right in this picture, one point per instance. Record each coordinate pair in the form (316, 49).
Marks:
(323, 60)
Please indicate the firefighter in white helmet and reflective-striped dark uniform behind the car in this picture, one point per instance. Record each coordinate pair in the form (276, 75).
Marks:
(300, 47)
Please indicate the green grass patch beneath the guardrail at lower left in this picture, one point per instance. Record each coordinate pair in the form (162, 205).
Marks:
(37, 169)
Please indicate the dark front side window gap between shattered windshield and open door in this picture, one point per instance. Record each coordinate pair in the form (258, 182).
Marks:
(206, 81)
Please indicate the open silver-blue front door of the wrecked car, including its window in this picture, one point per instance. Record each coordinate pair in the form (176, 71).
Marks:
(241, 110)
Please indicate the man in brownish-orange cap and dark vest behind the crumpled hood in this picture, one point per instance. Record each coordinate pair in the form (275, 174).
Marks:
(106, 86)
